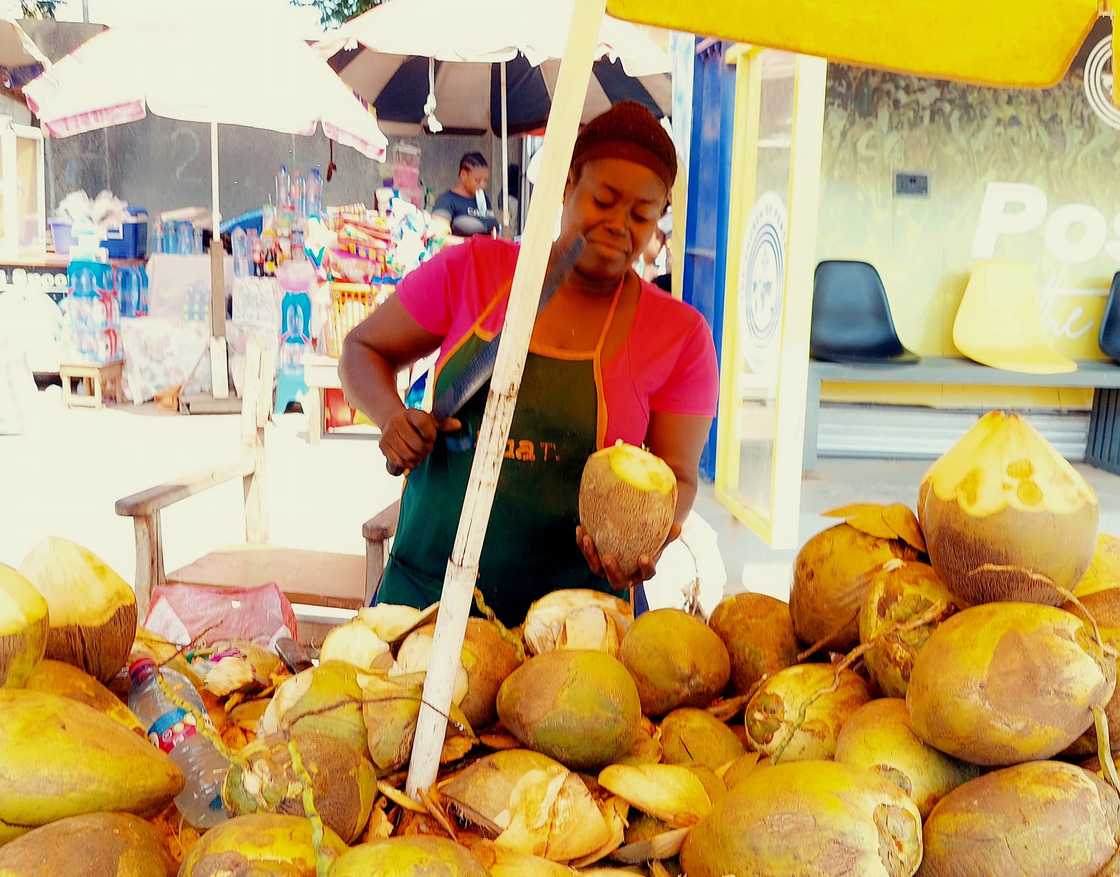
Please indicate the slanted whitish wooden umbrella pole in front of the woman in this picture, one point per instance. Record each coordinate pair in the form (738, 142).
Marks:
(490, 452)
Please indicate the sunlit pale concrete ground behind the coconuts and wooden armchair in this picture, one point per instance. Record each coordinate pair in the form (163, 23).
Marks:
(63, 477)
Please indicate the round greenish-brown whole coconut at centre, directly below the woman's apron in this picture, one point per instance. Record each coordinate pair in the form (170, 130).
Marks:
(578, 707)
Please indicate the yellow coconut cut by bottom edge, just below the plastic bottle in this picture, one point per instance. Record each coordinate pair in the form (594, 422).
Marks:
(260, 845)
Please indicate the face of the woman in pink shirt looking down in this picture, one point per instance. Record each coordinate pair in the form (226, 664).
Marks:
(615, 206)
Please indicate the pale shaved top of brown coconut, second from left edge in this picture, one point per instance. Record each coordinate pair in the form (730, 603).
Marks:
(79, 586)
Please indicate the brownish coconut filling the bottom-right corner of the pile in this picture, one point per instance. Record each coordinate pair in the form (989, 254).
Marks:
(1039, 819)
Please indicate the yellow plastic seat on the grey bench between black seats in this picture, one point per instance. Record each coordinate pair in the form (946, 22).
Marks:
(1001, 322)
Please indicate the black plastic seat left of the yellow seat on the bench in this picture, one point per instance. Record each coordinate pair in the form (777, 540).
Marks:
(852, 318)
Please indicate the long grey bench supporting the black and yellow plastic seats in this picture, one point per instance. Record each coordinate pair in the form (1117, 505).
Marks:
(1104, 449)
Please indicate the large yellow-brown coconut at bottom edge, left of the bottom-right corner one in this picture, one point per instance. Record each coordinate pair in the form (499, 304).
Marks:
(818, 819)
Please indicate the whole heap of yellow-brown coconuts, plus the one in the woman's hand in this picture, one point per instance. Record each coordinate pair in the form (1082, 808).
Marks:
(937, 698)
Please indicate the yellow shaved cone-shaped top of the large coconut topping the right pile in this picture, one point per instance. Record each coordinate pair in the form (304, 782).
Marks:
(1005, 463)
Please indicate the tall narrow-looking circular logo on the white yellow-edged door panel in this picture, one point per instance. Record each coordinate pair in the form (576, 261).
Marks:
(762, 283)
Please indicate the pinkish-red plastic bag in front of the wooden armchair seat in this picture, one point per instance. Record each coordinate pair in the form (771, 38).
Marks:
(199, 614)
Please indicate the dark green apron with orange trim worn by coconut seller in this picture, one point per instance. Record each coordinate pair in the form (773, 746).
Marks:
(530, 547)
